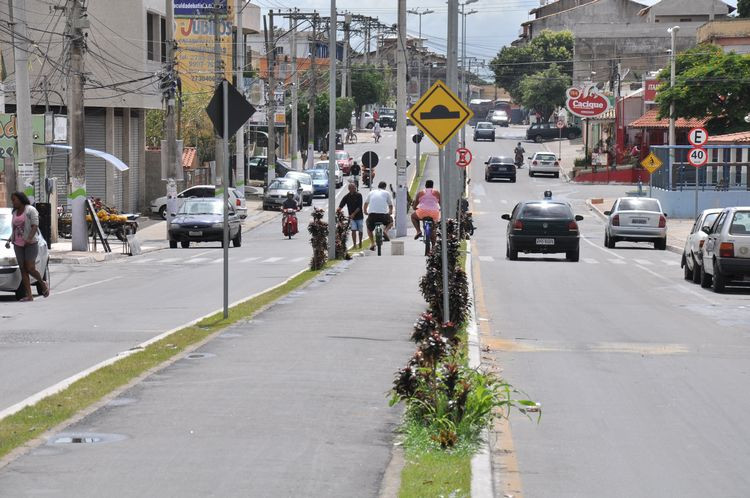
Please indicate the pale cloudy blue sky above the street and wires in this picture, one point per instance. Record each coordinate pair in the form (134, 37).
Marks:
(496, 23)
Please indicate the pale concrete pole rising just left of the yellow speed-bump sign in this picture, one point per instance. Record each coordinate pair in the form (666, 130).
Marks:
(401, 207)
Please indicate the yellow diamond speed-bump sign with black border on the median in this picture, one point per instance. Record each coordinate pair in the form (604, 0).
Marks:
(440, 114)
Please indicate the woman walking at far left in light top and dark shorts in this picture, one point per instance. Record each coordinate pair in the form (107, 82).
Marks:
(25, 239)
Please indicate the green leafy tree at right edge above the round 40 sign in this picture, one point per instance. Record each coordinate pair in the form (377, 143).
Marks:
(708, 83)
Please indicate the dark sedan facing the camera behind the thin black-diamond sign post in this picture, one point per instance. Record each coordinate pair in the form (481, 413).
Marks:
(202, 220)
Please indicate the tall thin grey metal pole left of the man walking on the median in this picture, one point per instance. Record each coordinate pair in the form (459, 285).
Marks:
(332, 134)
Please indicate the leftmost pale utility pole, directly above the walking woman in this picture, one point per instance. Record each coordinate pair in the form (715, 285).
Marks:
(23, 94)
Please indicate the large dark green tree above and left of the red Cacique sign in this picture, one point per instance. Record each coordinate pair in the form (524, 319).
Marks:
(513, 63)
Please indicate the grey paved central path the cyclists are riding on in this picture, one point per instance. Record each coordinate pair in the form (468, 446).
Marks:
(291, 403)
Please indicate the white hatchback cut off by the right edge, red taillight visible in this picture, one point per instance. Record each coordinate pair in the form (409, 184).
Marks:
(726, 252)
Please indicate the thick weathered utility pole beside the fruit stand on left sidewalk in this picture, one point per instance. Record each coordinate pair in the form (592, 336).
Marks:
(77, 165)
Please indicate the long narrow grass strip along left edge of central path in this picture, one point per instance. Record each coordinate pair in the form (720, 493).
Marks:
(34, 420)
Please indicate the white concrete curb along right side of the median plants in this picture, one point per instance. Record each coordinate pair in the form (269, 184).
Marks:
(481, 462)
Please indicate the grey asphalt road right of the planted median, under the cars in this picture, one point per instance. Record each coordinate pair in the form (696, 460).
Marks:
(641, 374)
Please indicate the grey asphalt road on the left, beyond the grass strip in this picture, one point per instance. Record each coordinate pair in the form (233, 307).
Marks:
(97, 311)
